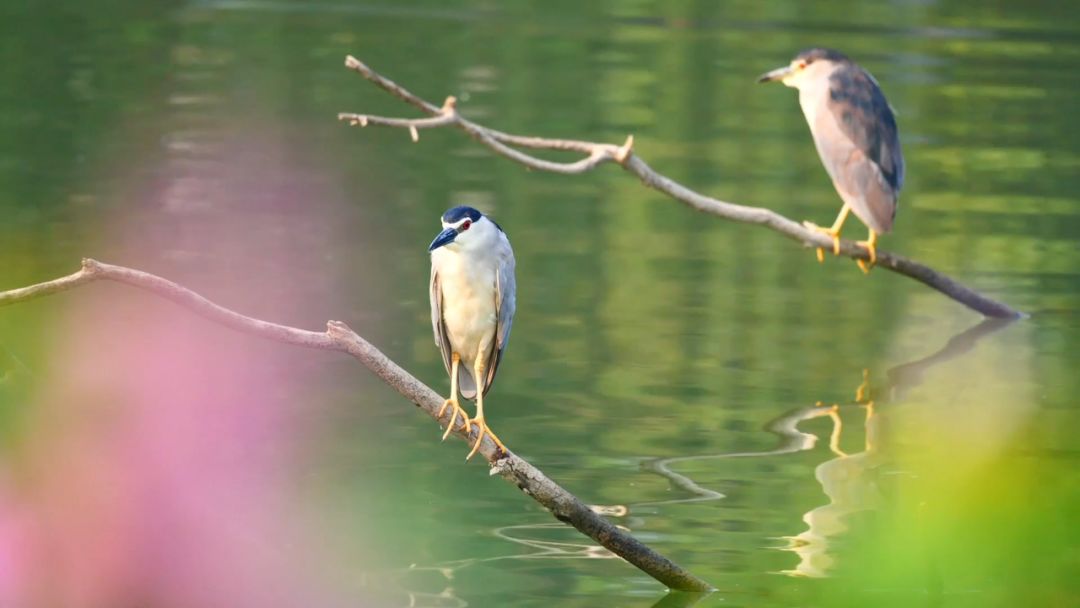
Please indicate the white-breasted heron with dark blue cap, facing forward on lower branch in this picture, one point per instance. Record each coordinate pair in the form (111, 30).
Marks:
(472, 309)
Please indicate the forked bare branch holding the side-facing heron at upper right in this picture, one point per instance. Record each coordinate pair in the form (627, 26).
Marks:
(597, 155)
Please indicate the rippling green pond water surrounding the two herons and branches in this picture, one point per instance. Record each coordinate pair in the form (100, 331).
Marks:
(664, 363)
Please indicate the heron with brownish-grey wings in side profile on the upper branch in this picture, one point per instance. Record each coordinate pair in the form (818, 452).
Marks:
(856, 134)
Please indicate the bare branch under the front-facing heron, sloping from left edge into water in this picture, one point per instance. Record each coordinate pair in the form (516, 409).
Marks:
(339, 337)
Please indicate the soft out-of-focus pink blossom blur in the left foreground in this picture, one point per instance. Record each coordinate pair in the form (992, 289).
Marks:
(163, 456)
